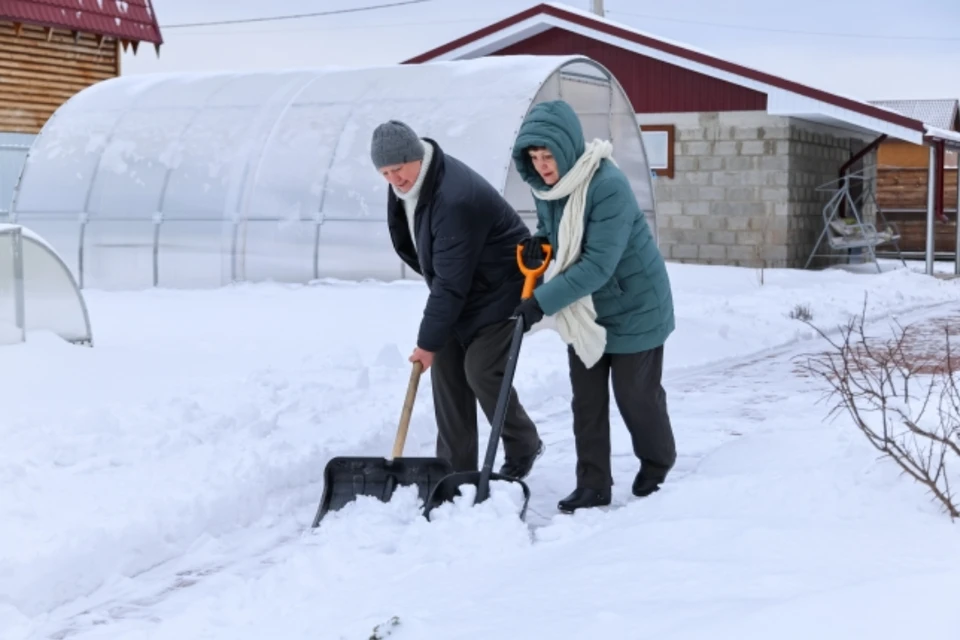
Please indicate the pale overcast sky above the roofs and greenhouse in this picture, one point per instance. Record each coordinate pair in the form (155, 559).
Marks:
(887, 48)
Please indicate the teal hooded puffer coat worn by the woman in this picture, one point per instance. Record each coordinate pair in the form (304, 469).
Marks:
(619, 264)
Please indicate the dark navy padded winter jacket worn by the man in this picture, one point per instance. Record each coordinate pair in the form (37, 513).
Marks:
(467, 237)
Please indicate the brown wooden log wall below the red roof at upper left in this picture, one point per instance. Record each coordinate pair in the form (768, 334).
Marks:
(40, 70)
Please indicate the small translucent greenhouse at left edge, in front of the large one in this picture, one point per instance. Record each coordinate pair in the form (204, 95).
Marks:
(37, 290)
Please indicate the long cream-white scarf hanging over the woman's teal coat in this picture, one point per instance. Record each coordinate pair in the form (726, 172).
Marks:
(576, 322)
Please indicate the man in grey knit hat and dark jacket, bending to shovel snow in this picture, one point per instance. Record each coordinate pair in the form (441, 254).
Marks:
(451, 226)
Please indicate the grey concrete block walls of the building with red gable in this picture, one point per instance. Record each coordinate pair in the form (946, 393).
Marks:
(744, 187)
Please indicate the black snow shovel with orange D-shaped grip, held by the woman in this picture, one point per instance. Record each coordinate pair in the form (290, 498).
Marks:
(449, 487)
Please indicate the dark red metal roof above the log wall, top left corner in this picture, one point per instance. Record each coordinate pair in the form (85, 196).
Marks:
(131, 20)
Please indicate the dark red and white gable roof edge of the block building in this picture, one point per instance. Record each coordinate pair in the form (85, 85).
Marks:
(784, 97)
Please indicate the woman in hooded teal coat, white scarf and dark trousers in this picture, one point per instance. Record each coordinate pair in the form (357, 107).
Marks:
(609, 293)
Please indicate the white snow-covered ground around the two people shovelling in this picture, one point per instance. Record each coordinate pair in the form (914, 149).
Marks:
(161, 485)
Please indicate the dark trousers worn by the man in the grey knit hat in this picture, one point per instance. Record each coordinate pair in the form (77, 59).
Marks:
(463, 377)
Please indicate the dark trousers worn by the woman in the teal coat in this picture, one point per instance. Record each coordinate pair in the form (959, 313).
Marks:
(642, 402)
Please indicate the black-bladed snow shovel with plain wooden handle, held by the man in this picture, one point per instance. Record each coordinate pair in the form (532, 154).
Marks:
(345, 478)
